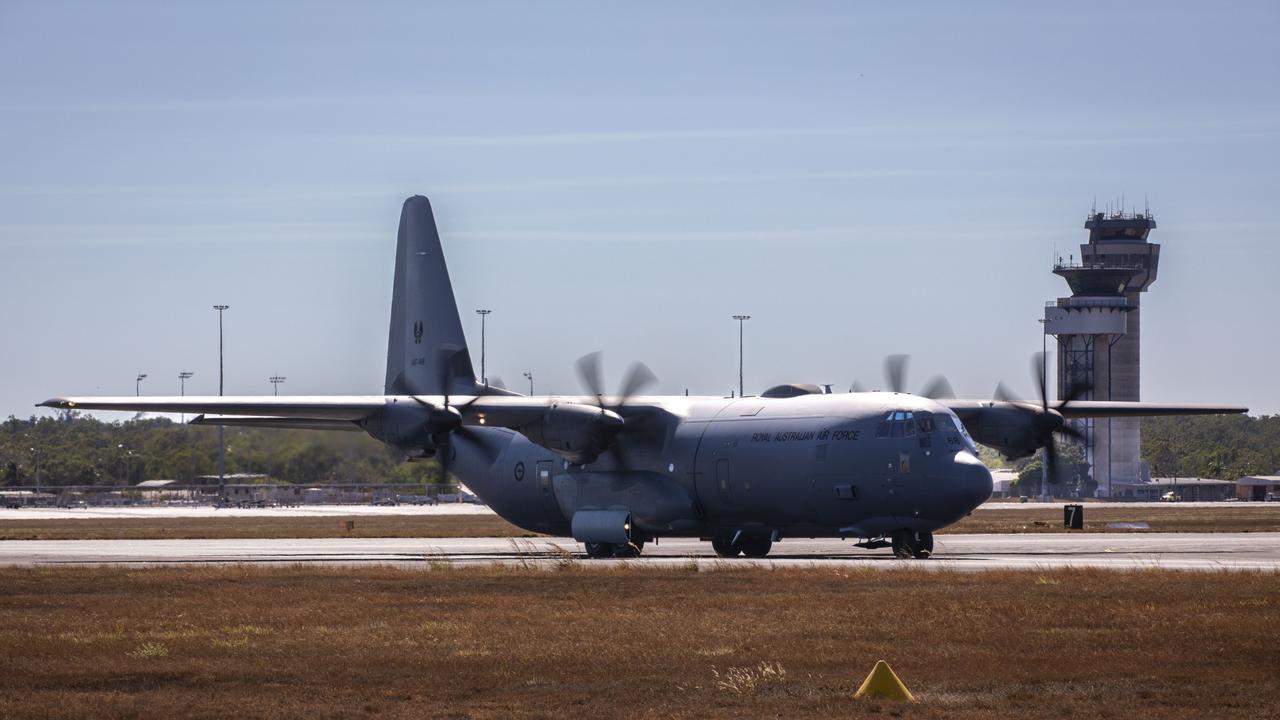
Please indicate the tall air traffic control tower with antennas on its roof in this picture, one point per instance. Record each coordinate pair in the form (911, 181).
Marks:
(1099, 331)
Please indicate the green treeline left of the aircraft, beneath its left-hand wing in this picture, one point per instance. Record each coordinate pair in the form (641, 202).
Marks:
(77, 450)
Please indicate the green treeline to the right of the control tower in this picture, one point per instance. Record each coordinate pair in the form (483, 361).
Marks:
(1212, 446)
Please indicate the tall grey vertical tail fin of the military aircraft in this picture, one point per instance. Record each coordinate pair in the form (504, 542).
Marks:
(427, 353)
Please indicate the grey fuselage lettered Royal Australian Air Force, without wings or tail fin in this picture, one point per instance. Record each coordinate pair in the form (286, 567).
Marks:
(819, 466)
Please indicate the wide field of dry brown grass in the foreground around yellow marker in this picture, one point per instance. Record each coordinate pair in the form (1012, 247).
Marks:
(634, 642)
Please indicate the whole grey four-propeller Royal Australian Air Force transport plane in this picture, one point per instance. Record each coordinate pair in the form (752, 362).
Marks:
(618, 471)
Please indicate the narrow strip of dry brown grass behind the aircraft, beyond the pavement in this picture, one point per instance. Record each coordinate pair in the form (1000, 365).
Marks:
(1173, 520)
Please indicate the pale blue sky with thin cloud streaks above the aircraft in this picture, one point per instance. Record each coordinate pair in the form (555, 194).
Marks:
(862, 179)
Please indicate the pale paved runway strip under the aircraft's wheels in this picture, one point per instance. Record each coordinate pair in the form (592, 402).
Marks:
(1121, 552)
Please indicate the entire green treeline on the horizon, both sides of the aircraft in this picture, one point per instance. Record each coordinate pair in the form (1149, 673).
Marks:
(85, 452)
